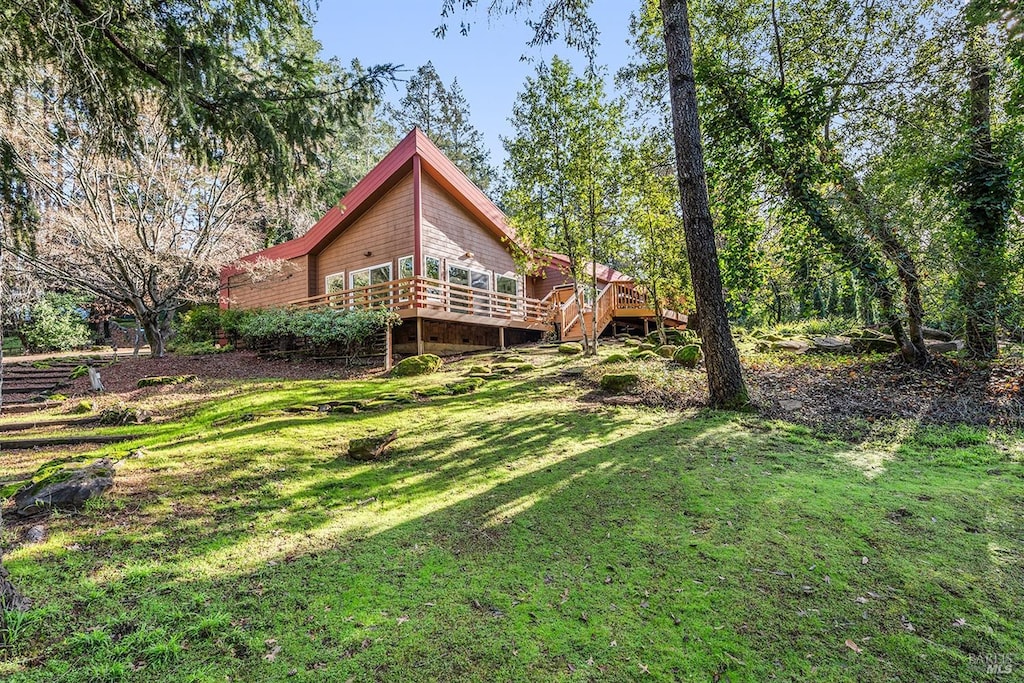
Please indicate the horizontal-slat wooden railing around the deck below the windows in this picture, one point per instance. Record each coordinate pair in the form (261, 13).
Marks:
(429, 294)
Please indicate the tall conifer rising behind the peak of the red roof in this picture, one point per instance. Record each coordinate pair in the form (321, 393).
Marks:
(443, 113)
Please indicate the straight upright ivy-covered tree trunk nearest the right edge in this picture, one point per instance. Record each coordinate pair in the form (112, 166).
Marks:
(986, 196)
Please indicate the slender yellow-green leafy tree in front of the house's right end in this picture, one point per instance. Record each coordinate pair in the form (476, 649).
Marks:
(564, 174)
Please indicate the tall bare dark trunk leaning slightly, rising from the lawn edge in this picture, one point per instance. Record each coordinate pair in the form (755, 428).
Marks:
(726, 378)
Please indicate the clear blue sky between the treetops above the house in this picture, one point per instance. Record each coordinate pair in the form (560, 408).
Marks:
(487, 63)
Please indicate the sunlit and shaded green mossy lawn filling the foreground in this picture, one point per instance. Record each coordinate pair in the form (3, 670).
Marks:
(525, 533)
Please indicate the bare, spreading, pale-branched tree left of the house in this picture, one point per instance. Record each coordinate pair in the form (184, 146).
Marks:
(149, 231)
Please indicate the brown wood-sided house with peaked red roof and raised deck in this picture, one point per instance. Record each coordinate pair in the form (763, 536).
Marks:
(417, 236)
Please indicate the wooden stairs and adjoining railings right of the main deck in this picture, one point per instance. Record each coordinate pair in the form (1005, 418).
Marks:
(617, 301)
